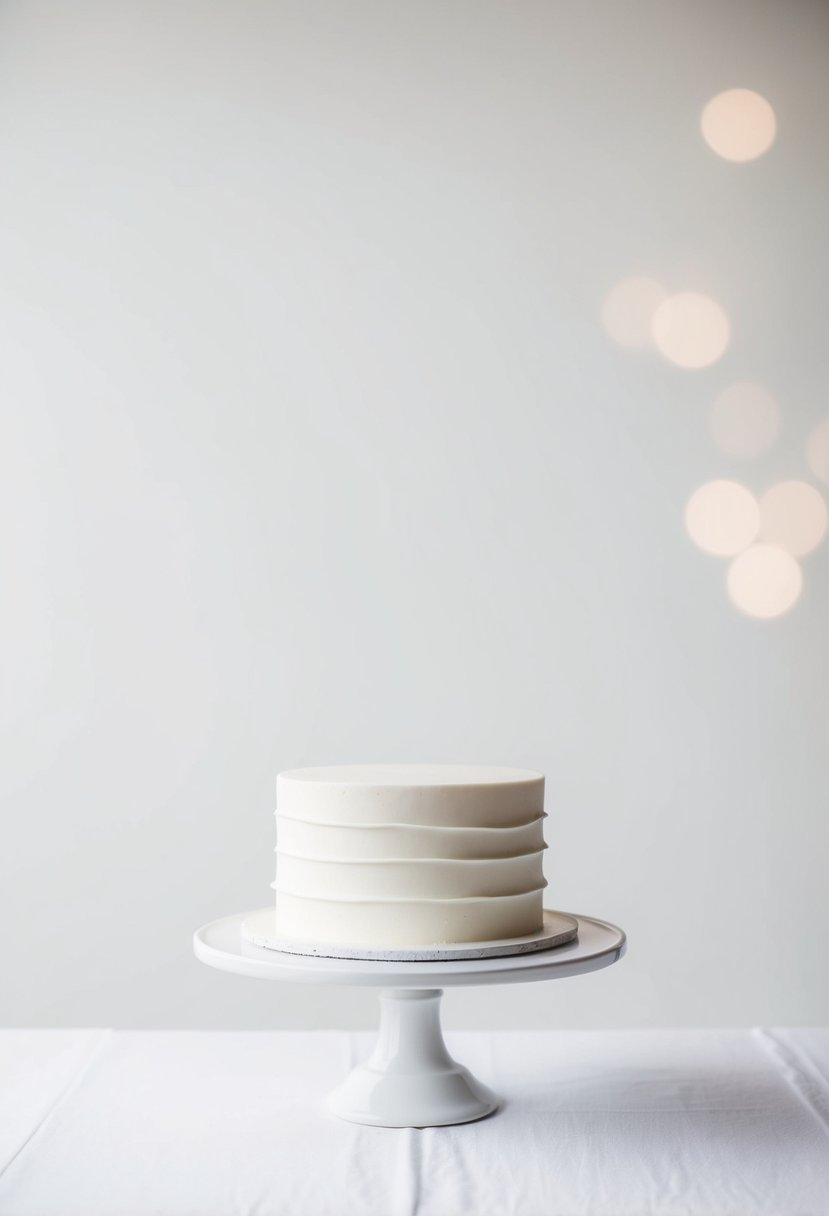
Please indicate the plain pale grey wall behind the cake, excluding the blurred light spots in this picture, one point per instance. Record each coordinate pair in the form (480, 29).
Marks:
(317, 451)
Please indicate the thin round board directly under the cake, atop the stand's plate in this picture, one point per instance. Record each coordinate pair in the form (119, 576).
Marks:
(262, 930)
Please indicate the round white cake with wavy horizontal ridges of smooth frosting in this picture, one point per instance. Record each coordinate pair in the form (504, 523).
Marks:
(379, 857)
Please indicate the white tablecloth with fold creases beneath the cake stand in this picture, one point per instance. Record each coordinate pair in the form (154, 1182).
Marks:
(622, 1123)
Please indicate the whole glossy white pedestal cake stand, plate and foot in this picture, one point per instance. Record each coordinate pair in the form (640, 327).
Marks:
(410, 1080)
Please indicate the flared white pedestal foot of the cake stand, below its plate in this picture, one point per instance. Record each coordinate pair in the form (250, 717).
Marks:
(410, 1080)
